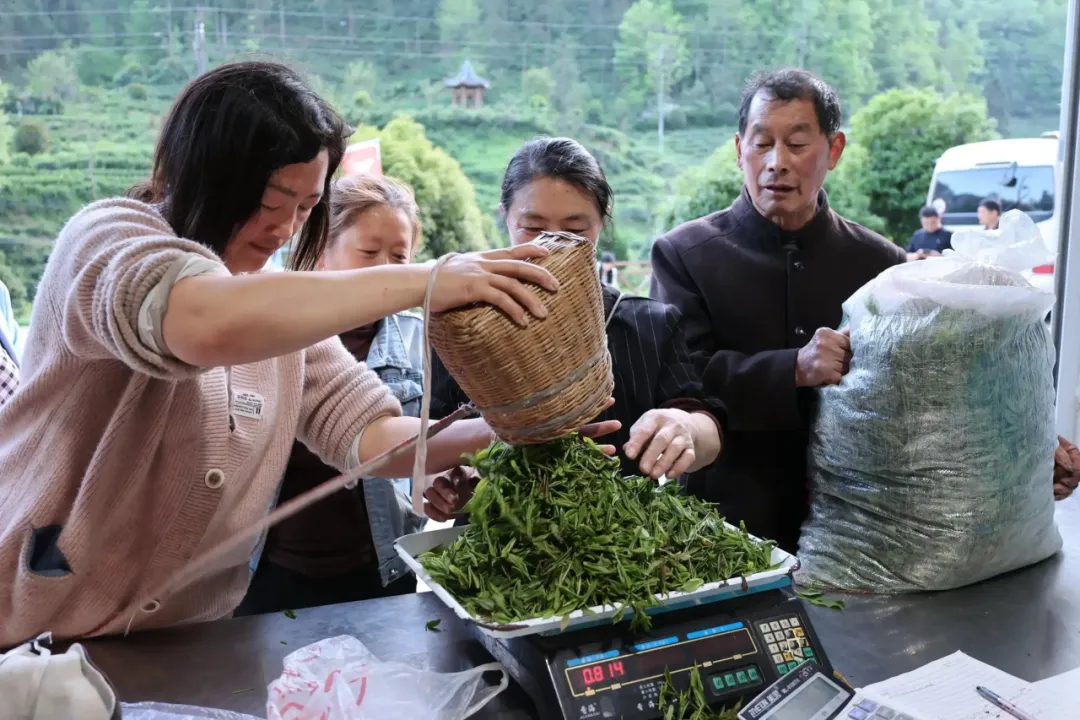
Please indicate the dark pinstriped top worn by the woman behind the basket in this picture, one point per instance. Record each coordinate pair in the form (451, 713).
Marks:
(650, 361)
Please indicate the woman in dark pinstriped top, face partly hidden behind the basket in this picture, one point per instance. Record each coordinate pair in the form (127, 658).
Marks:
(668, 426)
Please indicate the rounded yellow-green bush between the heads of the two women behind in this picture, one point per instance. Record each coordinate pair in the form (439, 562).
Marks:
(451, 219)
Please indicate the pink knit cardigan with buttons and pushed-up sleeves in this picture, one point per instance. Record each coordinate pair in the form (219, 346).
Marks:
(127, 457)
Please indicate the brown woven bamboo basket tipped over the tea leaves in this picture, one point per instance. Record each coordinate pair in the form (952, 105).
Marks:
(535, 384)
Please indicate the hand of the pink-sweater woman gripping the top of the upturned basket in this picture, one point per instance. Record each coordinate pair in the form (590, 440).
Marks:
(496, 278)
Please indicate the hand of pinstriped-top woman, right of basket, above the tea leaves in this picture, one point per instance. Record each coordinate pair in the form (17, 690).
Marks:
(670, 442)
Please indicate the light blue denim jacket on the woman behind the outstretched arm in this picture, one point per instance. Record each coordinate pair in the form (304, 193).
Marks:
(397, 358)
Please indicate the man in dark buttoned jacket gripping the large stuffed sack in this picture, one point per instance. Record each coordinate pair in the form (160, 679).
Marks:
(761, 288)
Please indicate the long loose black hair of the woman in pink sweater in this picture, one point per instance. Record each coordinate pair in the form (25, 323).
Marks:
(226, 134)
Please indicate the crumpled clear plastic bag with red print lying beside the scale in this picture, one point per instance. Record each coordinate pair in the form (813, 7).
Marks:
(341, 680)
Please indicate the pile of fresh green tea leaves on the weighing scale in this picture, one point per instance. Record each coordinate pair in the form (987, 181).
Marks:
(555, 529)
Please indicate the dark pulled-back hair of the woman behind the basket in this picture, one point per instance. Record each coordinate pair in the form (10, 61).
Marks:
(562, 159)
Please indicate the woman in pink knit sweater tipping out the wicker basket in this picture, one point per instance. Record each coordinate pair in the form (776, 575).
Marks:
(165, 378)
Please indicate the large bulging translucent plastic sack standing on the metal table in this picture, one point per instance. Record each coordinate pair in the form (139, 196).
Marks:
(931, 465)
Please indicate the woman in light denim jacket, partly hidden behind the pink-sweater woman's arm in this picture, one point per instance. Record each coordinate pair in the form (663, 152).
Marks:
(342, 549)
